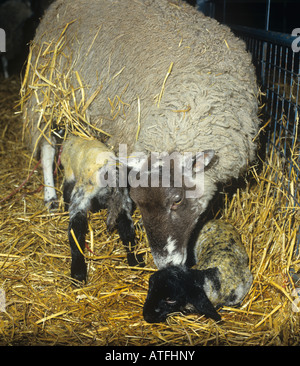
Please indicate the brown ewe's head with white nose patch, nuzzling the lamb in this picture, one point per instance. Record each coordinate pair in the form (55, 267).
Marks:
(171, 192)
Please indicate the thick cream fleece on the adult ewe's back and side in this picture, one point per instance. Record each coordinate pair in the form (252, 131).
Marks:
(208, 101)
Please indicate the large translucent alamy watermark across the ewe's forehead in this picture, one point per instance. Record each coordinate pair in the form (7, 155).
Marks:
(159, 169)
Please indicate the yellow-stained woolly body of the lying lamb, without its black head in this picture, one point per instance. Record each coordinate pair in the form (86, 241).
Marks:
(219, 245)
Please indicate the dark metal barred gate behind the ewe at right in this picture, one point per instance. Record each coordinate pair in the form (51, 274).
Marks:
(278, 72)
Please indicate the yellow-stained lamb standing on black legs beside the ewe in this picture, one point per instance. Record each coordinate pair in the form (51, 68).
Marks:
(86, 163)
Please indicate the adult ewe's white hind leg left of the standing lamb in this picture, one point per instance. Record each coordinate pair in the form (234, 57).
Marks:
(47, 159)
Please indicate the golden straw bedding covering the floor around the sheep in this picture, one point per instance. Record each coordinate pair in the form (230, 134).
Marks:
(42, 308)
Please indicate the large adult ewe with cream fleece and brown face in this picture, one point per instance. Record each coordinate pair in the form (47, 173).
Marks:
(171, 81)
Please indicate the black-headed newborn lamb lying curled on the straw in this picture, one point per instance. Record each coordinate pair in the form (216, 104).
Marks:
(220, 277)
